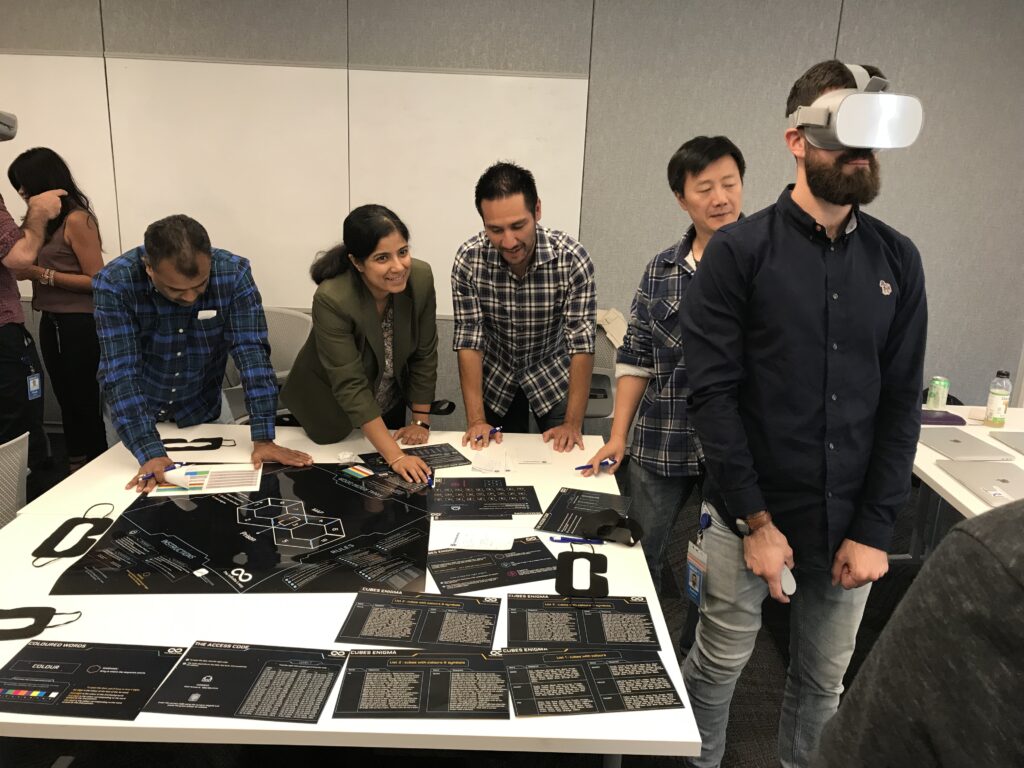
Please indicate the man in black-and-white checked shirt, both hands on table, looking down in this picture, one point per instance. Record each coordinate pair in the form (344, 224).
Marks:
(525, 328)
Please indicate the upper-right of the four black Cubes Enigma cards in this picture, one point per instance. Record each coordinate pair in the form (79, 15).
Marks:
(551, 621)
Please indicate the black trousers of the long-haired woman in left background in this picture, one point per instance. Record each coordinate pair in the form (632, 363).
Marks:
(71, 352)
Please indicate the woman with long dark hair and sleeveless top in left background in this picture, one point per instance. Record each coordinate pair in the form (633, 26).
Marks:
(63, 291)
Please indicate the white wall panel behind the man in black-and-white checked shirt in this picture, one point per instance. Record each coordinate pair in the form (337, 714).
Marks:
(421, 141)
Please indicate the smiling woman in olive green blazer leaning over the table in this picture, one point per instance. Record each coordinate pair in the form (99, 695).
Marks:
(370, 292)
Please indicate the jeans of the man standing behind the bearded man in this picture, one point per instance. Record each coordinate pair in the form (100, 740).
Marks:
(656, 505)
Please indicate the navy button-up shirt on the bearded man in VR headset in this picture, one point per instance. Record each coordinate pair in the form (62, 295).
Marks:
(805, 360)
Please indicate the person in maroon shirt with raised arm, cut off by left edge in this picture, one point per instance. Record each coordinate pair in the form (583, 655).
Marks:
(21, 371)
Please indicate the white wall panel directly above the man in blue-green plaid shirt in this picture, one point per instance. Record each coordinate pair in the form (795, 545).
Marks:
(258, 154)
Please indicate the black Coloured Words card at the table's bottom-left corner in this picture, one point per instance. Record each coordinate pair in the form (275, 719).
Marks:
(84, 680)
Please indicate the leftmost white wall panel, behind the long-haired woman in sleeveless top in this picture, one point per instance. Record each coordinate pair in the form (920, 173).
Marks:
(61, 103)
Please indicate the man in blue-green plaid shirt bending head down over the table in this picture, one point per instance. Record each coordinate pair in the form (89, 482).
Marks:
(167, 316)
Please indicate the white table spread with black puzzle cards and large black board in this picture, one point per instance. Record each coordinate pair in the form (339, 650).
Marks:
(314, 620)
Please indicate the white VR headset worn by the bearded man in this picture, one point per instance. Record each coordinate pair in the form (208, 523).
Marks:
(865, 117)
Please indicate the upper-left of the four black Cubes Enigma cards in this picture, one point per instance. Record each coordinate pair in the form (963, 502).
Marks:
(418, 621)
